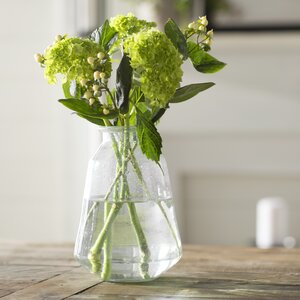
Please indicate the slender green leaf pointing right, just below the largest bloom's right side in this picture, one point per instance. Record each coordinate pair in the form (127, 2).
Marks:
(186, 92)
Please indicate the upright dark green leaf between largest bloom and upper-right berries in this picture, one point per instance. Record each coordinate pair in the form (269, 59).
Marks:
(177, 38)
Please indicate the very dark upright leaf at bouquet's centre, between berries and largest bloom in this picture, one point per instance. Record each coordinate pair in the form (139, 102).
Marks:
(123, 84)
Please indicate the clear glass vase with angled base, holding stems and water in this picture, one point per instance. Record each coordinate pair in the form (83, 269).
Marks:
(128, 230)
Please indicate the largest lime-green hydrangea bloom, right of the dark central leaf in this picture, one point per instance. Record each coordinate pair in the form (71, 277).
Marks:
(158, 63)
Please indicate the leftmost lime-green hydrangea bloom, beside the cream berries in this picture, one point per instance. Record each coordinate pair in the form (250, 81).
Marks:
(69, 57)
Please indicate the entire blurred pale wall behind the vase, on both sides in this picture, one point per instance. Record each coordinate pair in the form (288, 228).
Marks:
(226, 149)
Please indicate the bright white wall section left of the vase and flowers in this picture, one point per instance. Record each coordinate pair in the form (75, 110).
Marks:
(43, 152)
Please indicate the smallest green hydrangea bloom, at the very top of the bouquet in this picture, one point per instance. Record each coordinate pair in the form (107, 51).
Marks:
(127, 25)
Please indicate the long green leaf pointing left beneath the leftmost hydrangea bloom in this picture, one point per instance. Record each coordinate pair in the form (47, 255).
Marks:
(84, 109)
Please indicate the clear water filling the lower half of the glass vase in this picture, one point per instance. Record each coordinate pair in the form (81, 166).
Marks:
(126, 260)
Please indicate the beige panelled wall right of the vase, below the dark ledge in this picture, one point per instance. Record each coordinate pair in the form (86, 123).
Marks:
(241, 138)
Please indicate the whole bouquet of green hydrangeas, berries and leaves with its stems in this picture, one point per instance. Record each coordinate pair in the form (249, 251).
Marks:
(147, 84)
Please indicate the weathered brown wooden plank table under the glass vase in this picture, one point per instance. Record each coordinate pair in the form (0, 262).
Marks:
(31, 271)
